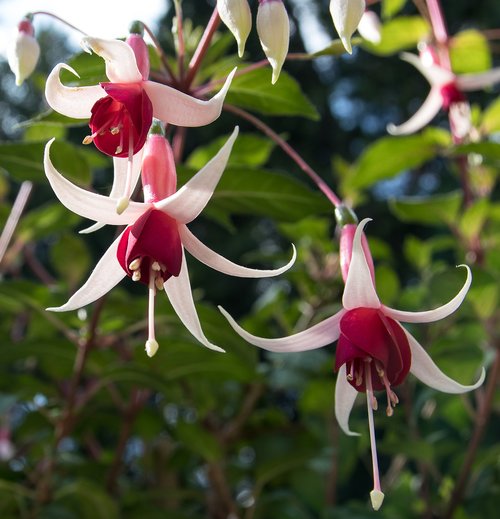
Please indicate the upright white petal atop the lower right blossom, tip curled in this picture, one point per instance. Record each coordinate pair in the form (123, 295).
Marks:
(359, 289)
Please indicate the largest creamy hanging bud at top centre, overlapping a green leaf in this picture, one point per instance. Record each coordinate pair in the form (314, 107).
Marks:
(273, 28)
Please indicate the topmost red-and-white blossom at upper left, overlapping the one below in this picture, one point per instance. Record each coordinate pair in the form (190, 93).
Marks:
(121, 110)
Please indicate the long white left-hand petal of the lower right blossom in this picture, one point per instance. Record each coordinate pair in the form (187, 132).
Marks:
(317, 336)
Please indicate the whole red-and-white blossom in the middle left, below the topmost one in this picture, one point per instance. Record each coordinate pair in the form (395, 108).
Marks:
(151, 248)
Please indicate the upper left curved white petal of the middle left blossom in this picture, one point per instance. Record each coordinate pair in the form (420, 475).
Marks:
(84, 203)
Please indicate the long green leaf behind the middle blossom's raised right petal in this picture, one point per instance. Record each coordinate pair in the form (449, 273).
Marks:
(262, 192)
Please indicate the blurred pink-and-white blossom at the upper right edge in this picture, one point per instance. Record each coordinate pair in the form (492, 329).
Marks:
(447, 93)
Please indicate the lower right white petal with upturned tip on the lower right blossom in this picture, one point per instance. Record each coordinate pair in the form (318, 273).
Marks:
(424, 368)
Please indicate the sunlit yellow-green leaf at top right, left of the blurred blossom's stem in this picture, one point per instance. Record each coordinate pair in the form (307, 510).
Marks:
(398, 34)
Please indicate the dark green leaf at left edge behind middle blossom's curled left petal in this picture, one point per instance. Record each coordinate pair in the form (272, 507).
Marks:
(24, 161)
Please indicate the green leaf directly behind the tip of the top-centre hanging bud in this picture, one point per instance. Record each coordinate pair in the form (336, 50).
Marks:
(253, 91)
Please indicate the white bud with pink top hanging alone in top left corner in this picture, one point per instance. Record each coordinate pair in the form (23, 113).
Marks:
(24, 51)
